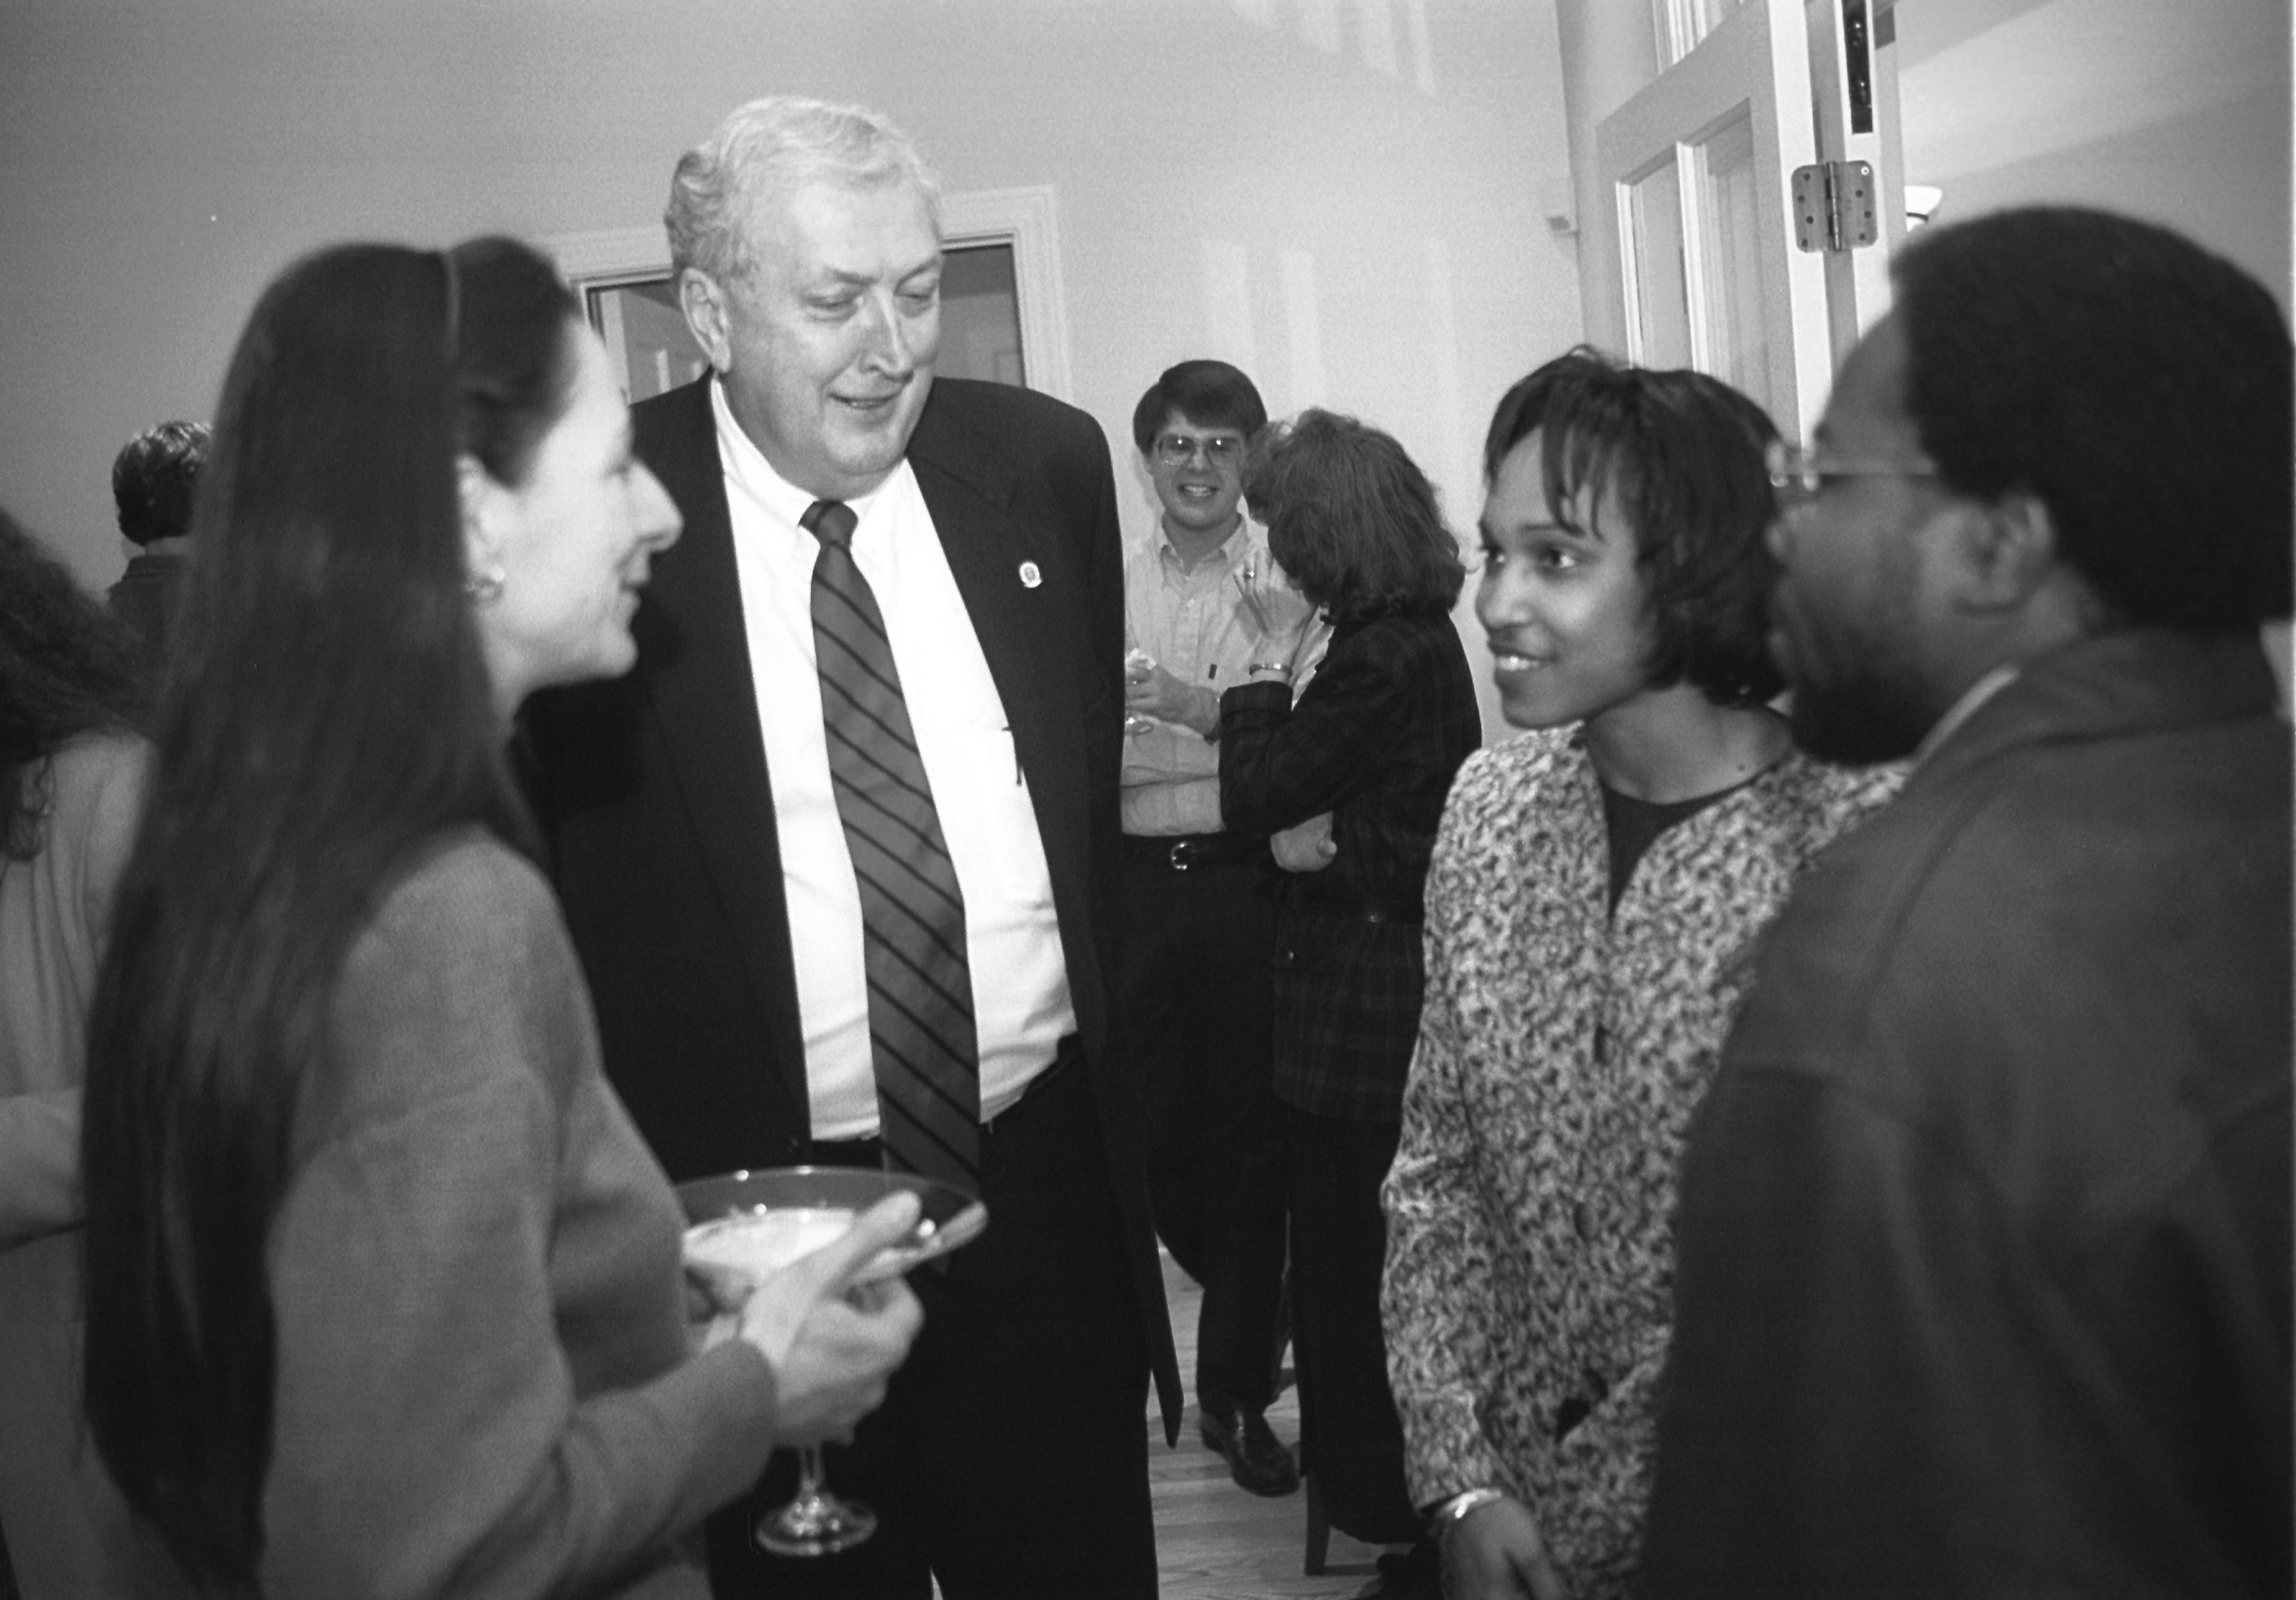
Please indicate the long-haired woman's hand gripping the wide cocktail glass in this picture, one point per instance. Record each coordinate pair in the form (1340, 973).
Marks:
(832, 1353)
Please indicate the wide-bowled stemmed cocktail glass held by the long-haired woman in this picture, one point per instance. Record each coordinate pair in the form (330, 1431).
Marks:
(752, 1225)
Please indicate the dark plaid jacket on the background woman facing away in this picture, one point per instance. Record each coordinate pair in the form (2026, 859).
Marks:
(1376, 740)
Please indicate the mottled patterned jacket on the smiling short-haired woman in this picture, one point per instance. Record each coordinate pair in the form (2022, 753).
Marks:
(1562, 1050)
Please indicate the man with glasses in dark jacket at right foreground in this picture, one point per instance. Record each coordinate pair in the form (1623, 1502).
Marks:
(1983, 1248)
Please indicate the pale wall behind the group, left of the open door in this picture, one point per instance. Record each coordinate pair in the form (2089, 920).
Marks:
(1337, 194)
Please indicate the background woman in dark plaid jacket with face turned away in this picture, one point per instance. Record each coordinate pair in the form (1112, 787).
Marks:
(1374, 743)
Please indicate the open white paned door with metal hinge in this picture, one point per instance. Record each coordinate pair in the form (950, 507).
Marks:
(1712, 127)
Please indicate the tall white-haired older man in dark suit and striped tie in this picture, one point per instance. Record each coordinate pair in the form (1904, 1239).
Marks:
(839, 855)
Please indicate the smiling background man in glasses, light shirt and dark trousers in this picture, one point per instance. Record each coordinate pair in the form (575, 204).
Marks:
(1204, 607)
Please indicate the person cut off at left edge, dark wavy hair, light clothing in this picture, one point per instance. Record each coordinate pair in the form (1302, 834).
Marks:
(70, 786)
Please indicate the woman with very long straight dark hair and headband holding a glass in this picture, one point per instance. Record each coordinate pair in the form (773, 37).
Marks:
(382, 1287)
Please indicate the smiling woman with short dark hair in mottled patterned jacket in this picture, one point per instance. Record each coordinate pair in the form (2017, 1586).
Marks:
(1590, 906)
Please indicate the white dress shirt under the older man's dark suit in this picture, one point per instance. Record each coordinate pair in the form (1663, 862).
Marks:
(965, 740)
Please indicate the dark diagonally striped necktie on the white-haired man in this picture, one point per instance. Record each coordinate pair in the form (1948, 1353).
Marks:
(913, 912)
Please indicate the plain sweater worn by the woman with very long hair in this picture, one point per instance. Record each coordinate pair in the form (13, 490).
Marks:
(483, 1376)
